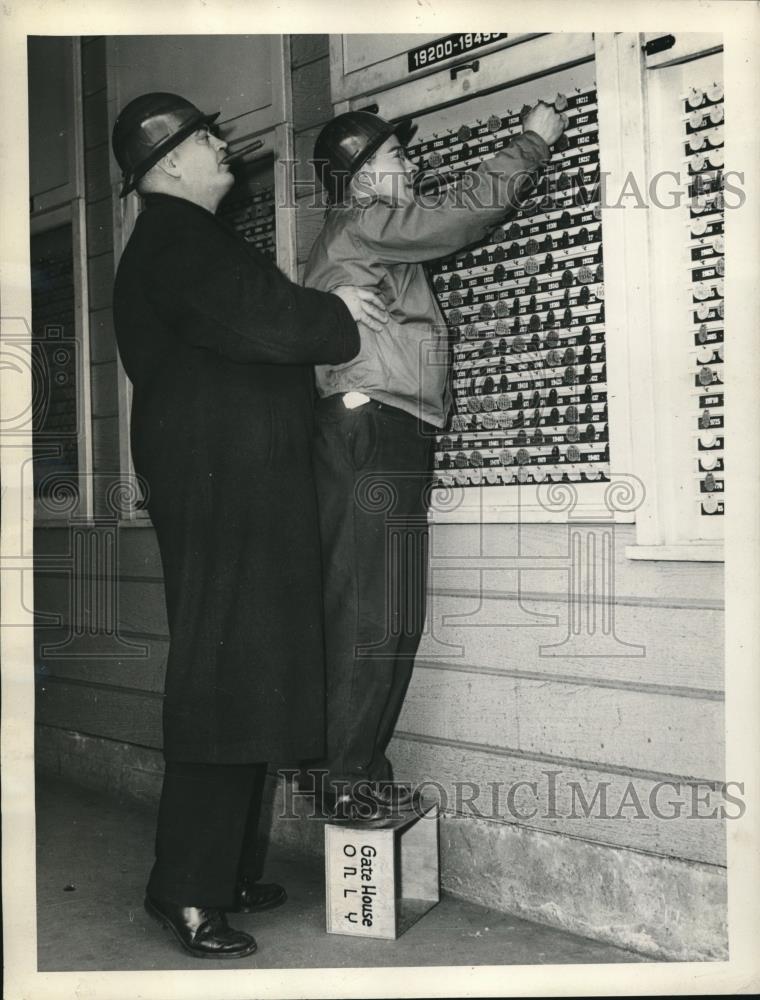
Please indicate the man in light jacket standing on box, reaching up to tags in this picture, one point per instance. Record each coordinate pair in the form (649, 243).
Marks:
(377, 416)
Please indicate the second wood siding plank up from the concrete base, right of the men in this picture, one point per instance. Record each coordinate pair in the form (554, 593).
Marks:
(603, 725)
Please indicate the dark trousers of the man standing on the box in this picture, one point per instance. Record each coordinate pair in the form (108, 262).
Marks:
(373, 467)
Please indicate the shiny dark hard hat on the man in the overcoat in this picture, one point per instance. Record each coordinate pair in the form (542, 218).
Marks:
(148, 128)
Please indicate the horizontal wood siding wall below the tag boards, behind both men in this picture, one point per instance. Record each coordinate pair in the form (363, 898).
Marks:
(490, 707)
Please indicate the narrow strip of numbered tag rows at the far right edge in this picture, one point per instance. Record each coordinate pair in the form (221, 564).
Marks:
(702, 119)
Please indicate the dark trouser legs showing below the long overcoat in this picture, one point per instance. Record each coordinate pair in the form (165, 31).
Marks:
(208, 821)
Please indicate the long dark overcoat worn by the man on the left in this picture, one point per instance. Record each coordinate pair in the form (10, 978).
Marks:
(219, 345)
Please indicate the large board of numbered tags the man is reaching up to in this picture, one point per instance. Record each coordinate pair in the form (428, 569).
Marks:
(525, 311)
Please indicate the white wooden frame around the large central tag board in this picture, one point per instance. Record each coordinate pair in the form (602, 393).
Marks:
(535, 58)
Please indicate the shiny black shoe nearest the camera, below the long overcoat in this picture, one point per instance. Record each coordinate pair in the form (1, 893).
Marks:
(202, 931)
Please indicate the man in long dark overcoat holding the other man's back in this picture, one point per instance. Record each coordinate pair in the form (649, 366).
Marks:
(218, 345)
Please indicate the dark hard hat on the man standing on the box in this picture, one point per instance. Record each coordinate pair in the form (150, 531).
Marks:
(347, 142)
